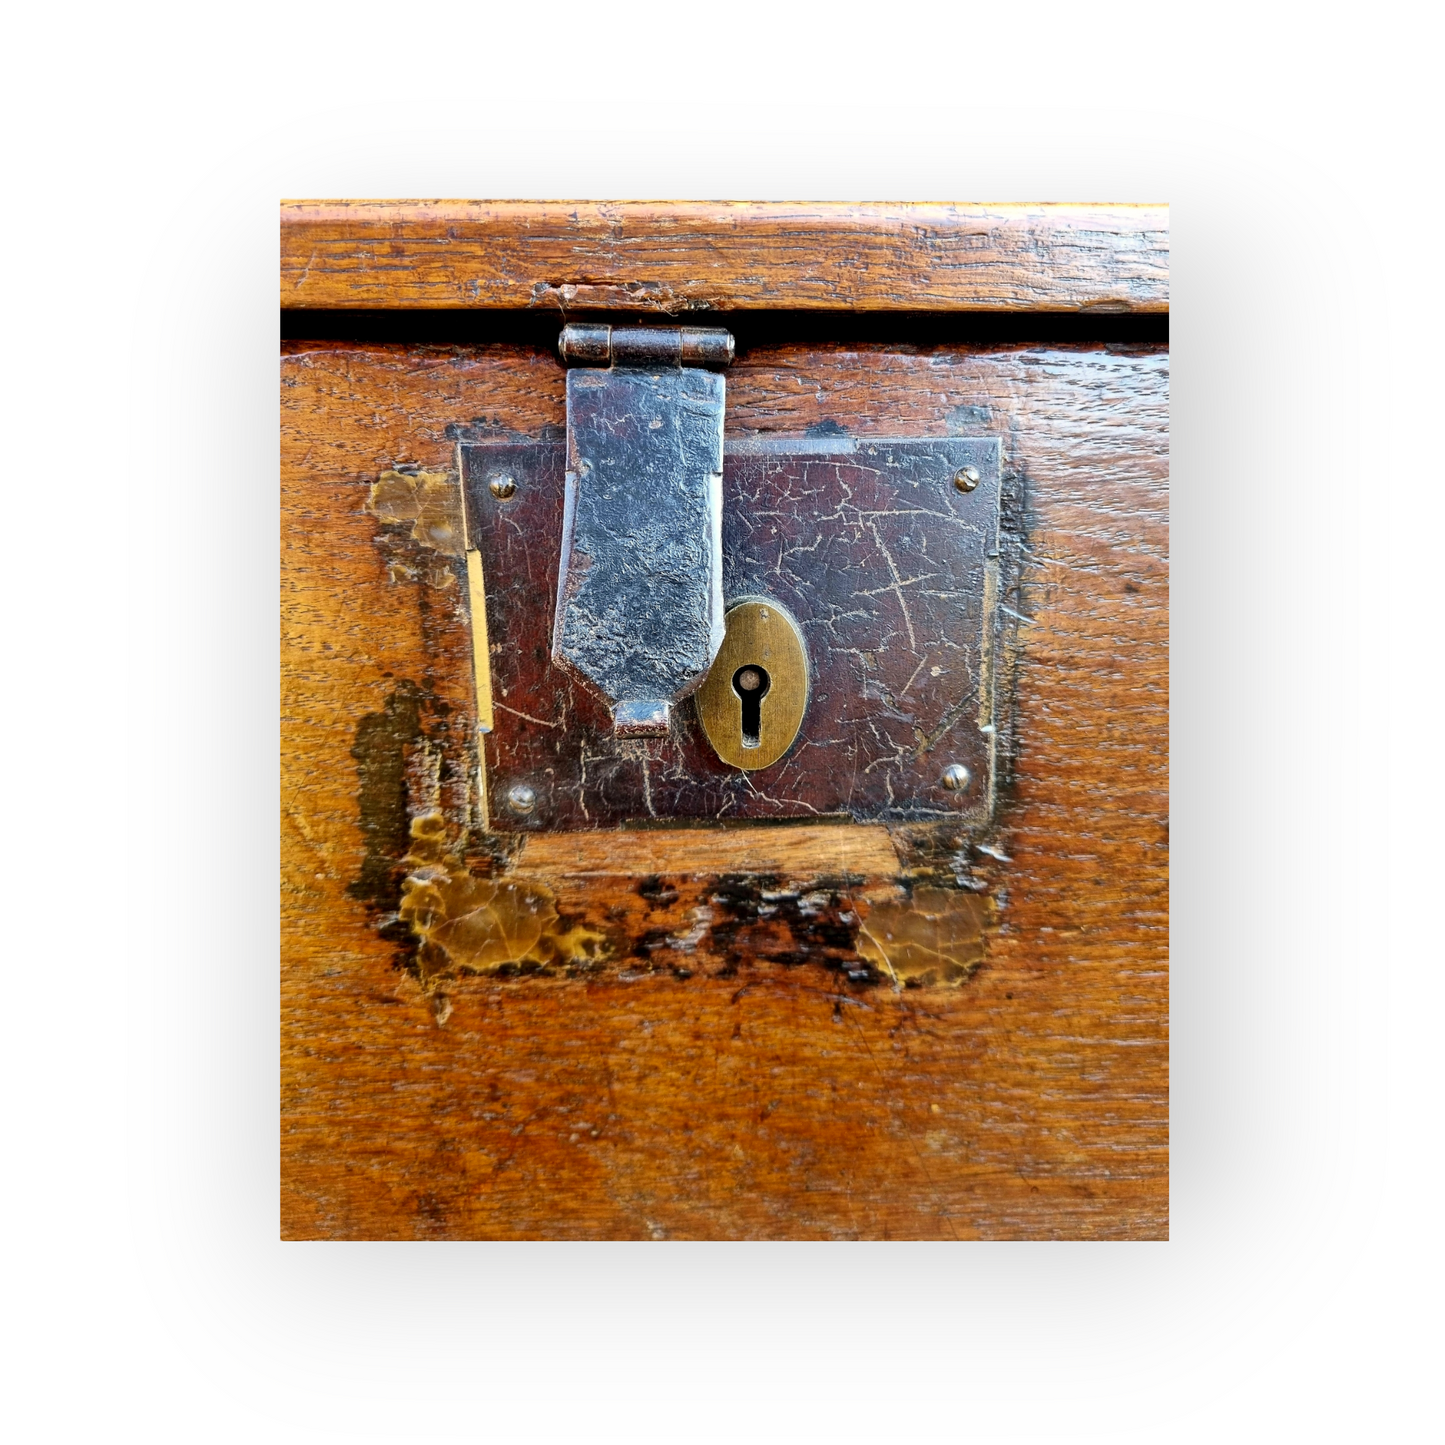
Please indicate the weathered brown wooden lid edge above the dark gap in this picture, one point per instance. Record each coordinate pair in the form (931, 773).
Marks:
(683, 256)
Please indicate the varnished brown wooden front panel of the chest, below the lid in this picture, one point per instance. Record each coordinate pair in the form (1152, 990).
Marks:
(739, 1086)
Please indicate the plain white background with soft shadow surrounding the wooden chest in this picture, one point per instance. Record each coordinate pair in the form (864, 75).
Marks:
(147, 1297)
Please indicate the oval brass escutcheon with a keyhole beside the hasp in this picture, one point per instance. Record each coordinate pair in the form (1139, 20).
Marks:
(754, 699)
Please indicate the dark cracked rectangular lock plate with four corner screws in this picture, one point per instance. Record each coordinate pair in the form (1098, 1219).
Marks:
(887, 566)
